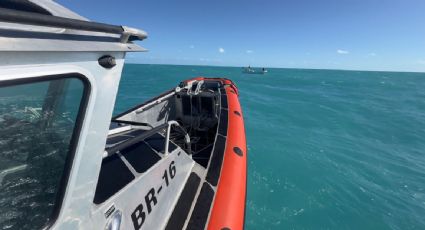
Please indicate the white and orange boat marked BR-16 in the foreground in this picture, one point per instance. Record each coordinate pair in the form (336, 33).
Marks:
(177, 161)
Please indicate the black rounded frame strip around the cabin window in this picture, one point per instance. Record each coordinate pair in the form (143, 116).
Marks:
(75, 137)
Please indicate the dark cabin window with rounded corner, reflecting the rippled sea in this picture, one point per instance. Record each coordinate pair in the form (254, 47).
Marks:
(39, 123)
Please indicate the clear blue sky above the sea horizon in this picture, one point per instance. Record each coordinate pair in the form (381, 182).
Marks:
(384, 35)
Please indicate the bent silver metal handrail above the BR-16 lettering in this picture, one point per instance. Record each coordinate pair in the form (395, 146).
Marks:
(125, 144)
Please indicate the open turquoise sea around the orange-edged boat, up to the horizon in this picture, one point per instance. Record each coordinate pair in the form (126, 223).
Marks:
(327, 149)
